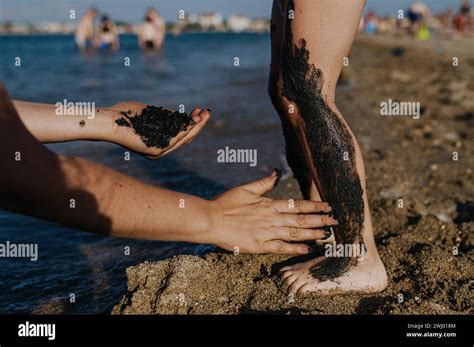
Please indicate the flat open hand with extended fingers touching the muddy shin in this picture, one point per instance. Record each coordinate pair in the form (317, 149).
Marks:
(243, 218)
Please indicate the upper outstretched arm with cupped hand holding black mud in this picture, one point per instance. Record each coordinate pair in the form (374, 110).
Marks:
(56, 123)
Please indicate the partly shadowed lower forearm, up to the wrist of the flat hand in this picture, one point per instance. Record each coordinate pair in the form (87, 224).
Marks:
(89, 196)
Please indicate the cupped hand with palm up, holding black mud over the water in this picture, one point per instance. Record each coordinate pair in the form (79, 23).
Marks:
(128, 138)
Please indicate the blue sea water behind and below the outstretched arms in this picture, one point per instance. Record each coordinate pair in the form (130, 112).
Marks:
(194, 70)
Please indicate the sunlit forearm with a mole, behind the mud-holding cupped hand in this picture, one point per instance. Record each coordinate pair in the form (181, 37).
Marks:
(49, 123)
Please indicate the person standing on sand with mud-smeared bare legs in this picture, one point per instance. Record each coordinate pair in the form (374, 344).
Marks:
(309, 41)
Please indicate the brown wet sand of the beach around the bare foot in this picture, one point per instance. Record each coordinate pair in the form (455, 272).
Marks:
(405, 158)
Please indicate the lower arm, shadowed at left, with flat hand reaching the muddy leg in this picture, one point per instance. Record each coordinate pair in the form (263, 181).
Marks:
(89, 196)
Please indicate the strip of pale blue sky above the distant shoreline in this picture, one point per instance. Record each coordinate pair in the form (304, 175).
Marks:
(132, 11)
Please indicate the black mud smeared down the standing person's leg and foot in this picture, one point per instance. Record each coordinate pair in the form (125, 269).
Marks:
(329, 140)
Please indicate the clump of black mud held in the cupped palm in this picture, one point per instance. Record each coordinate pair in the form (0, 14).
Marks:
(156, 126)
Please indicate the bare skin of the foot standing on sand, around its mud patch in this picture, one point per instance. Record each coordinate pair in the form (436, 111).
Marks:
(367, 276)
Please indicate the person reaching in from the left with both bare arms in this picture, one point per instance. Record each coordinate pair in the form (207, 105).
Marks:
(38, 182)
